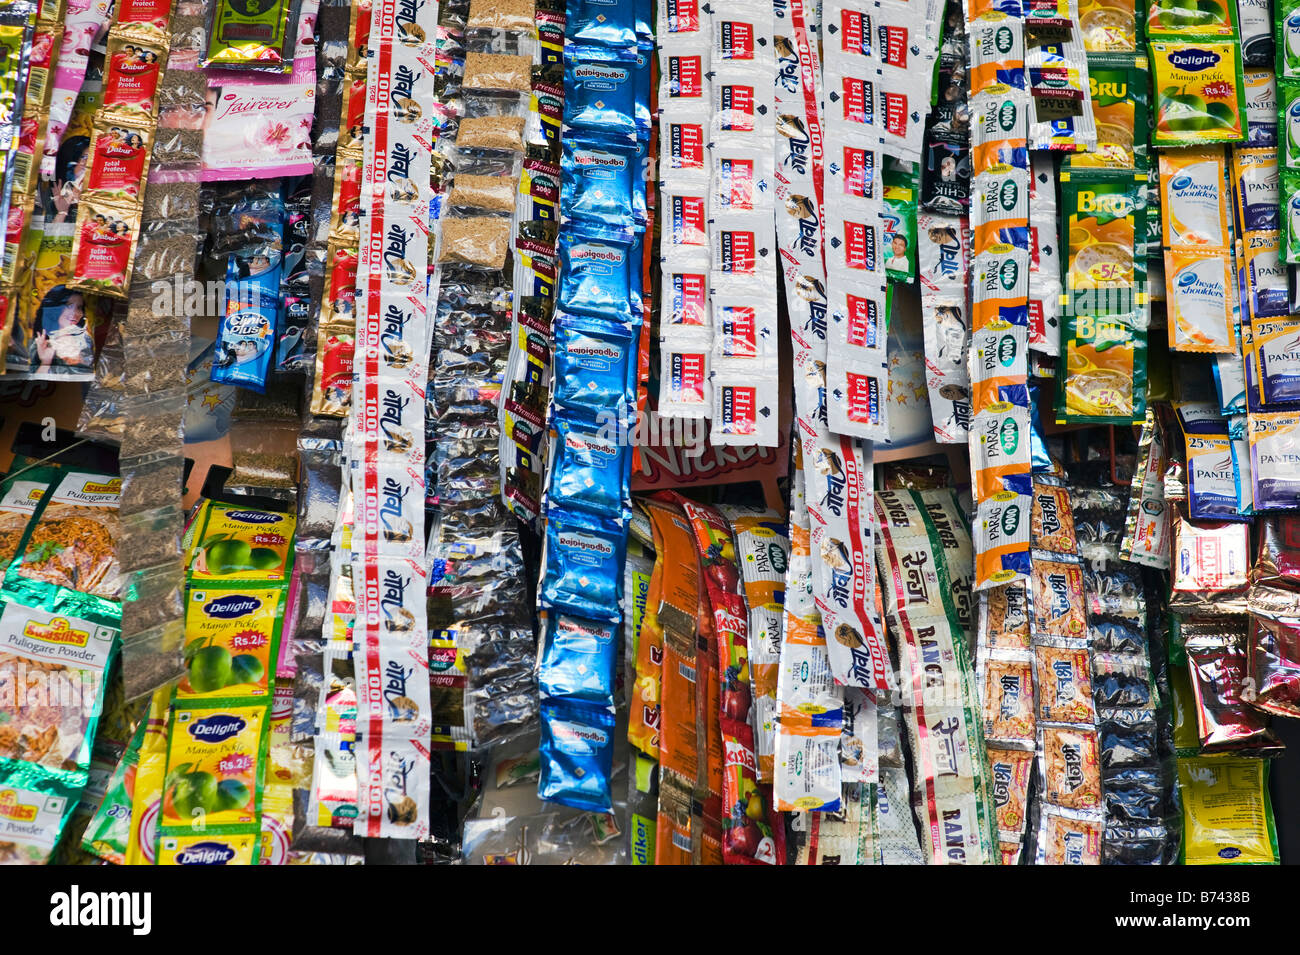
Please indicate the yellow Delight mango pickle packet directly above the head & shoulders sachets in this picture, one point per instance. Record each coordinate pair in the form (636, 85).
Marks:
(1201, 92)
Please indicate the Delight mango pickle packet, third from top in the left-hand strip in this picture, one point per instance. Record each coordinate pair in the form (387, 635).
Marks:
(215, 759)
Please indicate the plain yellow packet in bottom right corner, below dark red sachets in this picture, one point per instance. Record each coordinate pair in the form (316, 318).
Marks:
(1228, 815)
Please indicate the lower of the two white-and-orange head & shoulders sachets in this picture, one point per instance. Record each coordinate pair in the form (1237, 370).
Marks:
(1199, 301)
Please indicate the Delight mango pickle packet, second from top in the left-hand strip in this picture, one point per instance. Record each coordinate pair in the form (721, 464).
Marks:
(232, 636)
